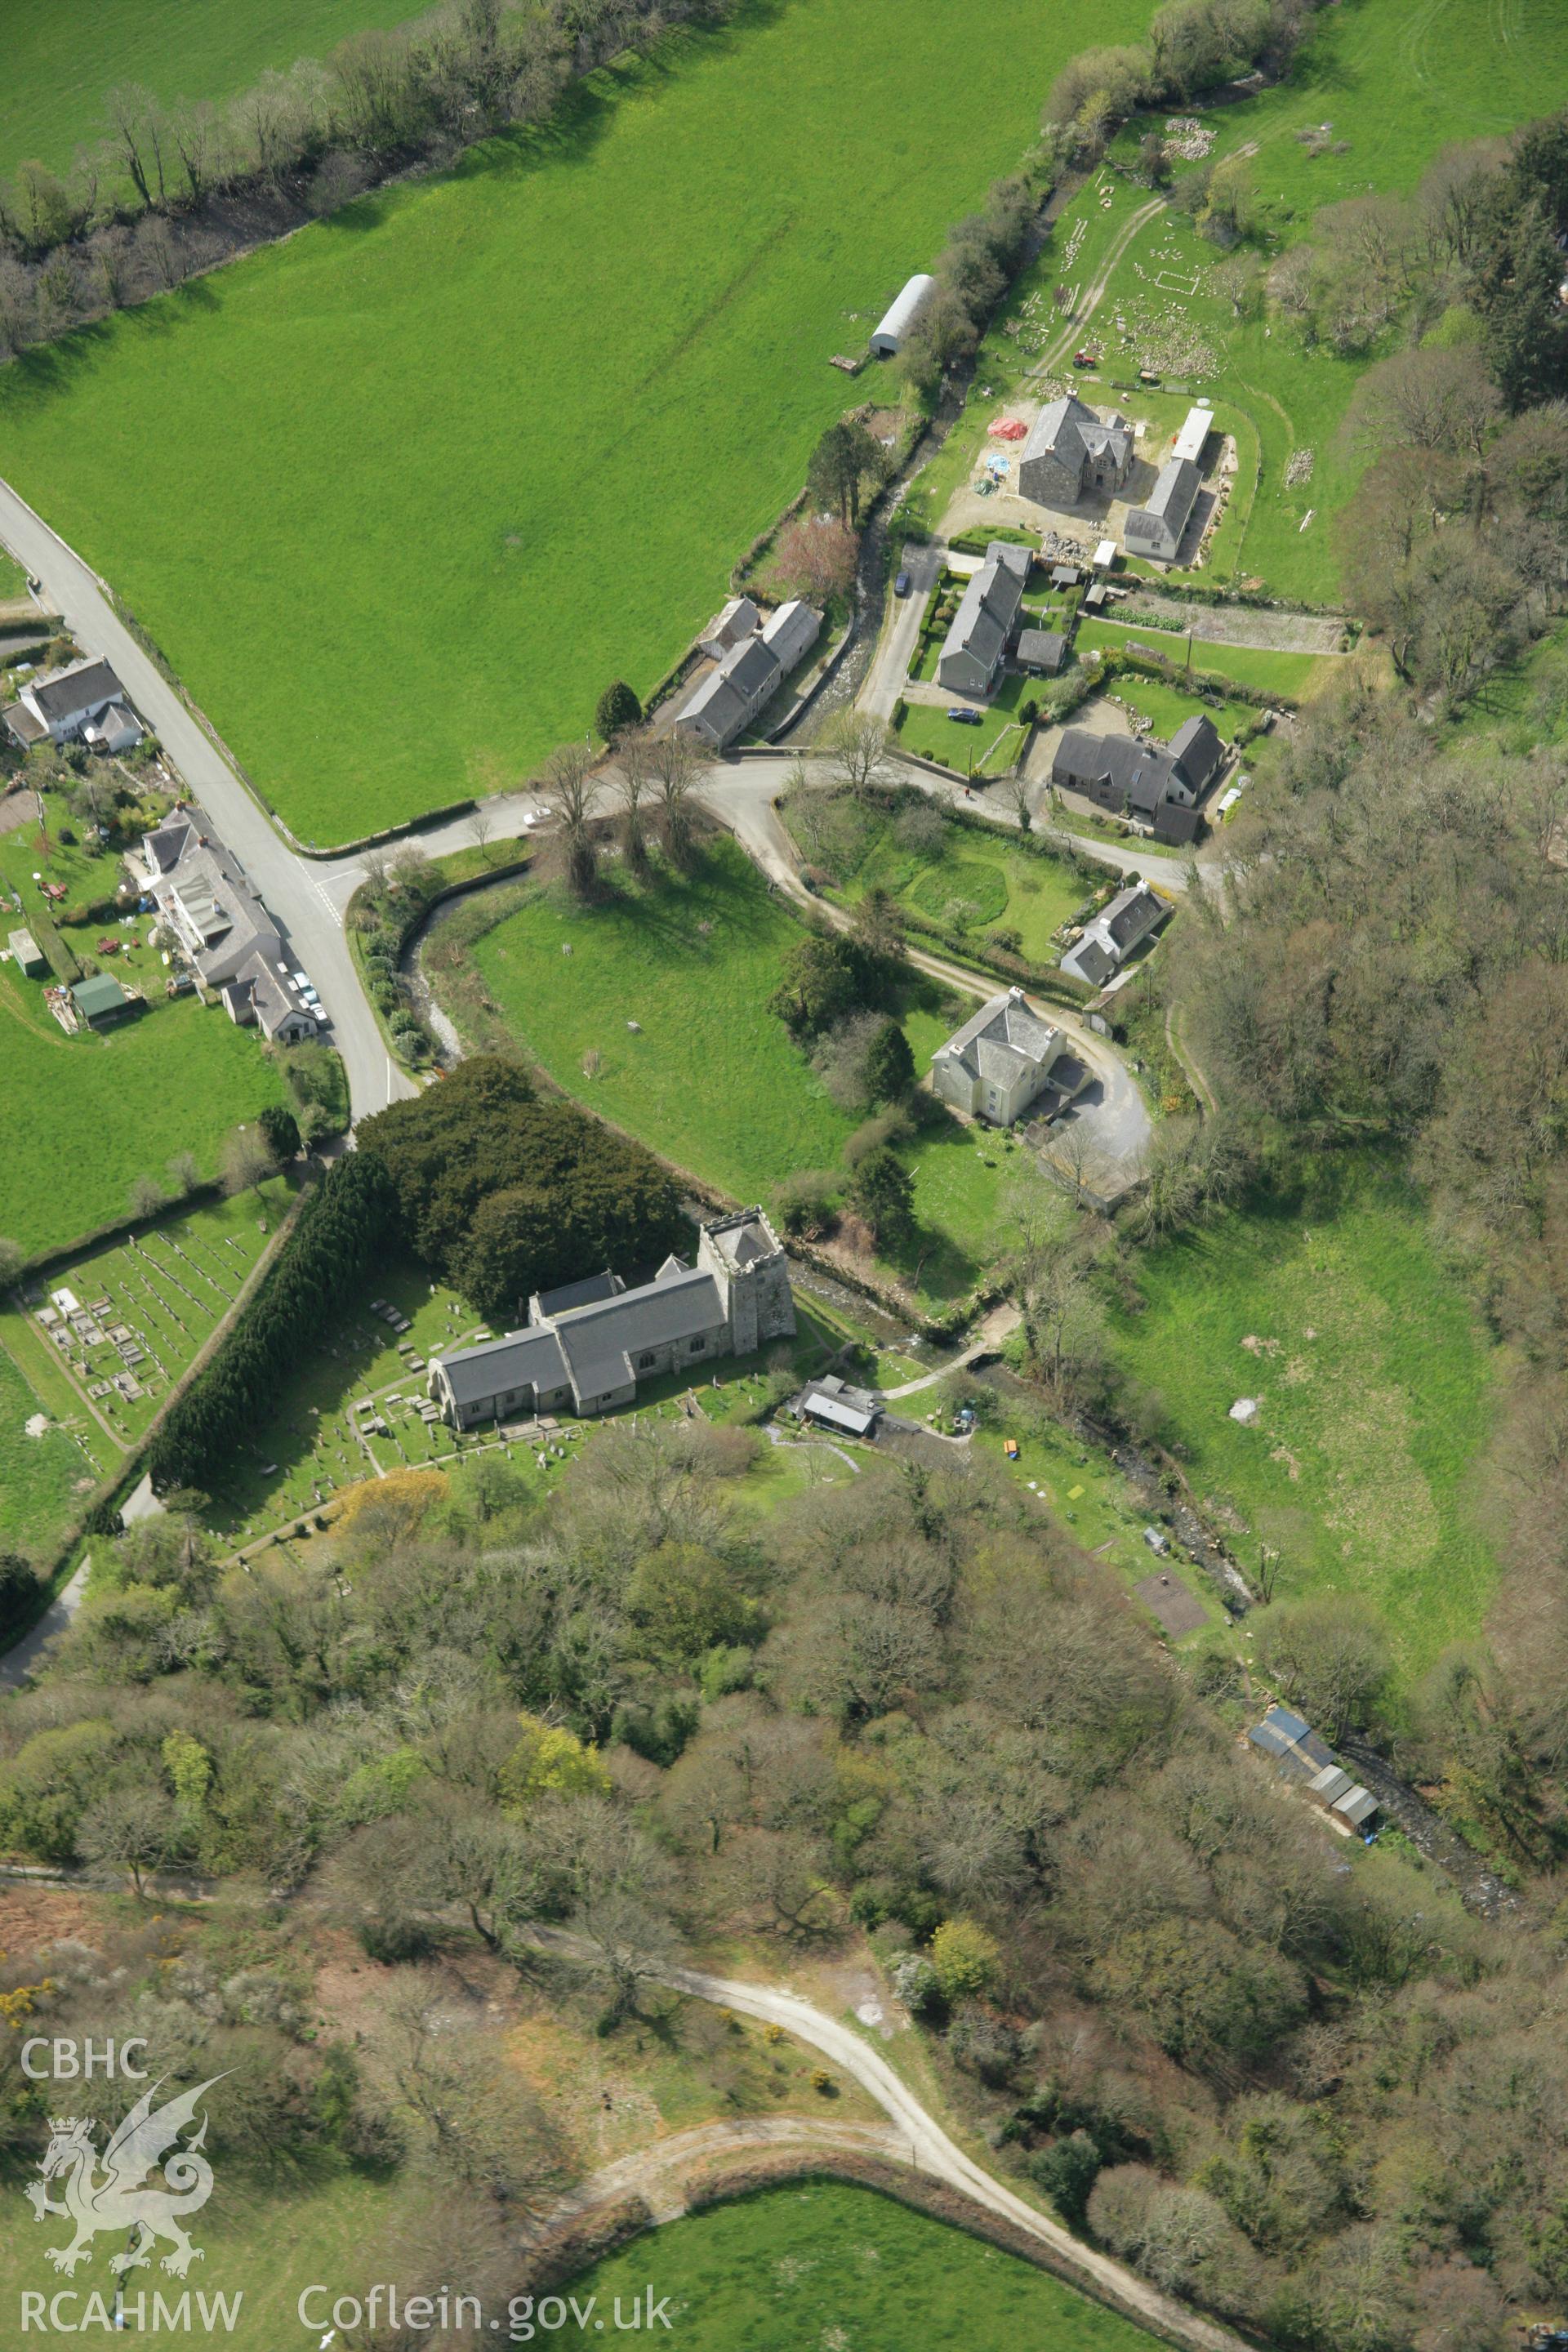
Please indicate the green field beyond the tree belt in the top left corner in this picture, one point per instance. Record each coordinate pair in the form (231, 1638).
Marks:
(53, 91)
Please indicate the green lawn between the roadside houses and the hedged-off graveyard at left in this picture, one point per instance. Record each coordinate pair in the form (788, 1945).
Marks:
(86, 1116)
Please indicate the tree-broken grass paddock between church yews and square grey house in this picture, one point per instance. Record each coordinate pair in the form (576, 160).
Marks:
(711, 1078)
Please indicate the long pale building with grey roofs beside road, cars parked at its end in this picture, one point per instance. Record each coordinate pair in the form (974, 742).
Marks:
(222, 928)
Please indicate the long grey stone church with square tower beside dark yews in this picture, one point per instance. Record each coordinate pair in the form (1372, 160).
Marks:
(589, 1344)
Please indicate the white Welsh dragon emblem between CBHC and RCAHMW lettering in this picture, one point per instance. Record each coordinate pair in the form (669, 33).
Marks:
(109, 2193)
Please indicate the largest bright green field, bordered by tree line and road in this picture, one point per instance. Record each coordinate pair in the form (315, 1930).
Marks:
(396, 634)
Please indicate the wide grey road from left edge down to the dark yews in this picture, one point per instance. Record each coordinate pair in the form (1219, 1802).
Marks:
(297, 895)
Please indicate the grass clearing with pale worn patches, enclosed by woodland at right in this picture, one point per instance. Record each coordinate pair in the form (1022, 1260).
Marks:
(1376, 1394)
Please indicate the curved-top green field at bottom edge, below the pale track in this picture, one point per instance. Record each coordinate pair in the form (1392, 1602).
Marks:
(824, 2264)
